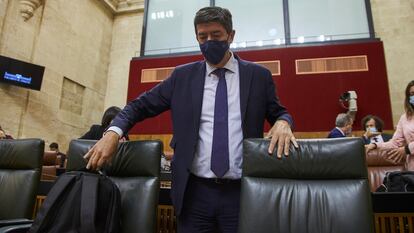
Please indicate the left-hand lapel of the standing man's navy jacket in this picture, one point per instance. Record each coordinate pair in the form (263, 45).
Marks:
(197, 91)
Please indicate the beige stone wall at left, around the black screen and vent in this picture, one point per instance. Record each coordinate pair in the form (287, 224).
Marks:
(71, 39)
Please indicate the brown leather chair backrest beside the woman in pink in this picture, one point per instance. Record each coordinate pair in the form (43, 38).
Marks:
(378, 166)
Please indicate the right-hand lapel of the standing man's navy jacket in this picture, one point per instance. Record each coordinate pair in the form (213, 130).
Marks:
(245, 79)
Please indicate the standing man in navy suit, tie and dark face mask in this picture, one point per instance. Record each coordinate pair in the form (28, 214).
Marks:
(215, 104)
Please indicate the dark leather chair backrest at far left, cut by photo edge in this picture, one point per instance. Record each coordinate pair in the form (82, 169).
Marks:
(20, 168)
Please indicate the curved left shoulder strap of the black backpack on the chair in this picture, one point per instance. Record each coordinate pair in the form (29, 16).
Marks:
(53, 195)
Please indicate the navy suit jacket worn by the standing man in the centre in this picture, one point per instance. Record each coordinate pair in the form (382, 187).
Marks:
(182, 92)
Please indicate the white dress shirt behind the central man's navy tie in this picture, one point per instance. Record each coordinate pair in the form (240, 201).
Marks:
(202, 158)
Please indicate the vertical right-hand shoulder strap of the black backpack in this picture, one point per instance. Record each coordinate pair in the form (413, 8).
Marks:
(89, 198)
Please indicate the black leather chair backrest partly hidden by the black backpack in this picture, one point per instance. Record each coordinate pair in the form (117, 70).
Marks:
(136, 170)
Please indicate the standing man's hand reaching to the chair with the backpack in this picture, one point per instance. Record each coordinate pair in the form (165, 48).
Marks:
(102, 152)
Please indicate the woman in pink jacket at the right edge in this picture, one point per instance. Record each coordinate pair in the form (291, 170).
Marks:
(401, 147)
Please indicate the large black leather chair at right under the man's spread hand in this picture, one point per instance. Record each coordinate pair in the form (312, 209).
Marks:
(322, 187)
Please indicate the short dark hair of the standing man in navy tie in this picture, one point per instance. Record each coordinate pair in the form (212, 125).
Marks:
(214, 14)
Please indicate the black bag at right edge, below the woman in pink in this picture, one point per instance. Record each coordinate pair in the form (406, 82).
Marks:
(398, 181)
